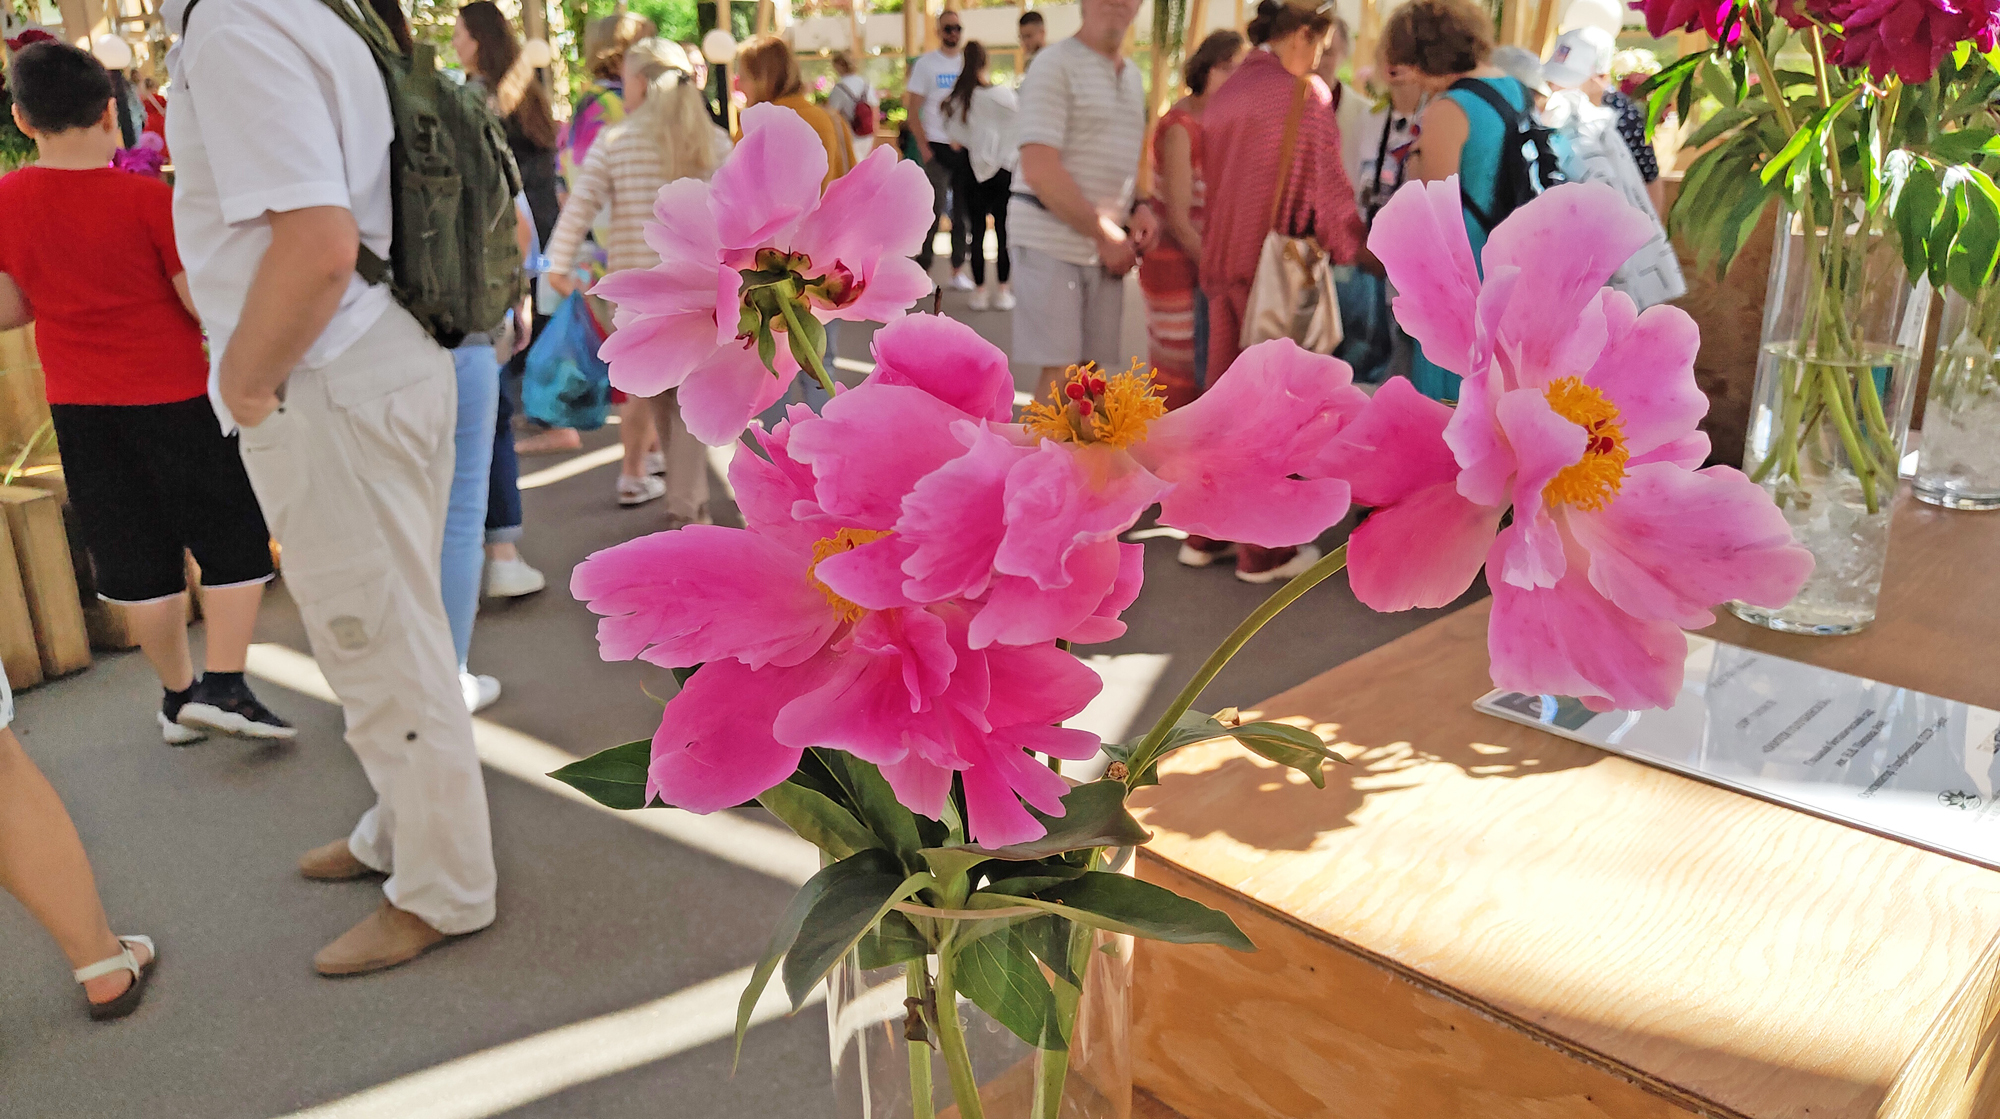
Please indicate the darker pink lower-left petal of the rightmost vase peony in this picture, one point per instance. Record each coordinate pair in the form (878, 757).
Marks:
(1421, 553)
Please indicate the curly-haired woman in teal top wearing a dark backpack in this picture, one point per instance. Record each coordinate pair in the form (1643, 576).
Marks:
(1463, 131)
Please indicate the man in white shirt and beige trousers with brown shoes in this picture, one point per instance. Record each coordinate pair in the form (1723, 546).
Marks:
(281, 131)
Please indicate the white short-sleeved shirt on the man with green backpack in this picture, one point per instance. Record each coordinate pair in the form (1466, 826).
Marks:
(277, 107)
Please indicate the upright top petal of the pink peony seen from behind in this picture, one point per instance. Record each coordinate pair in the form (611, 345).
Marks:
(763, 193)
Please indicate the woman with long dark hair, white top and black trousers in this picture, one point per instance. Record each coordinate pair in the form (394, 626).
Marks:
(979, 117)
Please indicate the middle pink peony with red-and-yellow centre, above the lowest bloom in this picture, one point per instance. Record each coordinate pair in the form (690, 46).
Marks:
(1025, 519)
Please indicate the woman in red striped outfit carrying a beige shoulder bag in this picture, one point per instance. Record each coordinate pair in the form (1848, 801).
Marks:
(1243, 141)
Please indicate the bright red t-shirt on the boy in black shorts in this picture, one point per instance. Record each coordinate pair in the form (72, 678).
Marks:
(95, 257)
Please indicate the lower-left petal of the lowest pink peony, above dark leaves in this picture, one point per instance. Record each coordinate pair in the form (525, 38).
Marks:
(715, 748)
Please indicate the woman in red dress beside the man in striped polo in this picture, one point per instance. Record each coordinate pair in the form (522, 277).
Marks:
(1171, 275)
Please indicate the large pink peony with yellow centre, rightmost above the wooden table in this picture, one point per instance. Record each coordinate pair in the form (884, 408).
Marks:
(1579, 415)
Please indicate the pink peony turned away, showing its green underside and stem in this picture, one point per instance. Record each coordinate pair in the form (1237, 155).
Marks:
(731, 251)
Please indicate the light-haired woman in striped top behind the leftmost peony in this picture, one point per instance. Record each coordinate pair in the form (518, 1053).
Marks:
(665, 135)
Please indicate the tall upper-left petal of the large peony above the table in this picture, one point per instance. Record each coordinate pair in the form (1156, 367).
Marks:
(1421, 239)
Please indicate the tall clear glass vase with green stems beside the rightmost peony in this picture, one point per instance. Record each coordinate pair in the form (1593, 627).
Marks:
(1831, 411)
